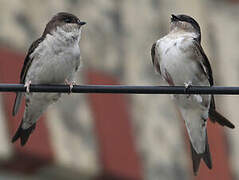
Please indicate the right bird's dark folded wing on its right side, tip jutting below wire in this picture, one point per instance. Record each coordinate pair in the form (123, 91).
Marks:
(213, 114)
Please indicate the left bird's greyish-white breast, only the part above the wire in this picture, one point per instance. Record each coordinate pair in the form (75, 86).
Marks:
(55, 59)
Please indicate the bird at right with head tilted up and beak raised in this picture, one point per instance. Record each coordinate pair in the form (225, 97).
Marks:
(181, 61)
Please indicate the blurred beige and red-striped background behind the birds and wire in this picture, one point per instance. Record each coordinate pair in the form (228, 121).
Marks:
(97, 136)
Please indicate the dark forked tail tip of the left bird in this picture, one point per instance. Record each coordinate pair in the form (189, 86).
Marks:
(23, 134)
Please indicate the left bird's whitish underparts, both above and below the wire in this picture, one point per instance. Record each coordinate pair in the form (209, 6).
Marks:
(55, 60)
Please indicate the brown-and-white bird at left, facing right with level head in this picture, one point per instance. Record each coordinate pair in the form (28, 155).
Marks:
(54, 58)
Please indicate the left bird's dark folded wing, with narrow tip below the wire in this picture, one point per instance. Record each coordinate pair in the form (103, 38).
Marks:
(26, 65)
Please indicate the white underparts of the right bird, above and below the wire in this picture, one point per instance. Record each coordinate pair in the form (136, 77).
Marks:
(175, 57)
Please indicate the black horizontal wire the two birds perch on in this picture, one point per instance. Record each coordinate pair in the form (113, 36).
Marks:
(121, 89)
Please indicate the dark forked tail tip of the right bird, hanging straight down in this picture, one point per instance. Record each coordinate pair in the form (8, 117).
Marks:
(196, 158)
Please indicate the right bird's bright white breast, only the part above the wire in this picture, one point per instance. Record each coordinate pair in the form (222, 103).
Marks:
(176, 59)
